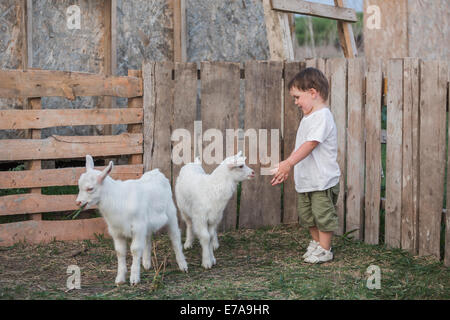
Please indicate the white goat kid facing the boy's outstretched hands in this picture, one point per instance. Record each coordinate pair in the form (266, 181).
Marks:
(202, 198)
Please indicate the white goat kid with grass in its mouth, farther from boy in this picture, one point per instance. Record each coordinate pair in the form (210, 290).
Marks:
(132, 209)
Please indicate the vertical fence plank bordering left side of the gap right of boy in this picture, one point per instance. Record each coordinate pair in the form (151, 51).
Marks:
(373, 154)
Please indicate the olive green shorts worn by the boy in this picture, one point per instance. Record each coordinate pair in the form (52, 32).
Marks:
(317, 209)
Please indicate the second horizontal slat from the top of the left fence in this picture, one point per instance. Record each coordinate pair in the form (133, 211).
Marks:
(40, 119)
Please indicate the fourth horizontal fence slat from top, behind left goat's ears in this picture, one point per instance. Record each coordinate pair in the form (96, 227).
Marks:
(61, 177)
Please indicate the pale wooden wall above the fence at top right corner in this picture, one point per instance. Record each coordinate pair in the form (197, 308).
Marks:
(409, 28)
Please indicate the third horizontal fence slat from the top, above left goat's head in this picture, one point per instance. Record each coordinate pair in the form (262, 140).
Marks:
(64, 147)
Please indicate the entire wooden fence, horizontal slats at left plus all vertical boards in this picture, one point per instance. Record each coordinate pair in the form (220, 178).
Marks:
(415, 94)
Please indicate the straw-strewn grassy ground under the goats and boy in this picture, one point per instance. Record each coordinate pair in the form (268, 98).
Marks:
(251, 264)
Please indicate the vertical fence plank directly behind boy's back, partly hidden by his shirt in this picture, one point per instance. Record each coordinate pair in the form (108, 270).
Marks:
(338, 106)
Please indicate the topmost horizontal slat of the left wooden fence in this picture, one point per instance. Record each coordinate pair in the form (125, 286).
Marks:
(46, 83)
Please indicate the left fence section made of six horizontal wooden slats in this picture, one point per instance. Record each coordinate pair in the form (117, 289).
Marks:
(31, 85)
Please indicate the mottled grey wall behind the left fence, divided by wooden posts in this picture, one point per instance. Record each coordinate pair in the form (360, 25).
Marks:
(231, 30)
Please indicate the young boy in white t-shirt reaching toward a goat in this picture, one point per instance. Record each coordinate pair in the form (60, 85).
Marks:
(316, 171)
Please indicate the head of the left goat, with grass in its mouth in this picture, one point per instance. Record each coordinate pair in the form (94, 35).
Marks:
(90, 184)
